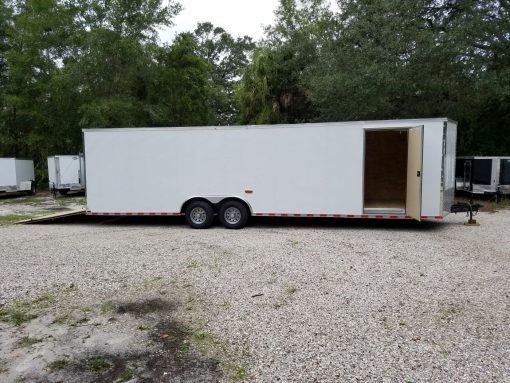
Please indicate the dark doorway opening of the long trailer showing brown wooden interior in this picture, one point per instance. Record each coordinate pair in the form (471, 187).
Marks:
(385, 169)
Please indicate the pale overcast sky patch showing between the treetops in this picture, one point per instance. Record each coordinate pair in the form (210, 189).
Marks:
(238, 17)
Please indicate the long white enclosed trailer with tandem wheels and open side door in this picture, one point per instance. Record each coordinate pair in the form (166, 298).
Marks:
(398, 169)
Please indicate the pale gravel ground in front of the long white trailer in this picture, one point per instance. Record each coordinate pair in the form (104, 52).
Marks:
(282, 300)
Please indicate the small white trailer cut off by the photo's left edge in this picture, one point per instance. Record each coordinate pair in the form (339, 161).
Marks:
(16, 175)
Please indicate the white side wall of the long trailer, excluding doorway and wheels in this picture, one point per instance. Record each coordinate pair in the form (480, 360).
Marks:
(297, 169)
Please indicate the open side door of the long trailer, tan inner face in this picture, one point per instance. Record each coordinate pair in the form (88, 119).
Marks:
(414, 172)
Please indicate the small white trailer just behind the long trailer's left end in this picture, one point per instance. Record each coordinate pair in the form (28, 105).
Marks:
(66, 173)
